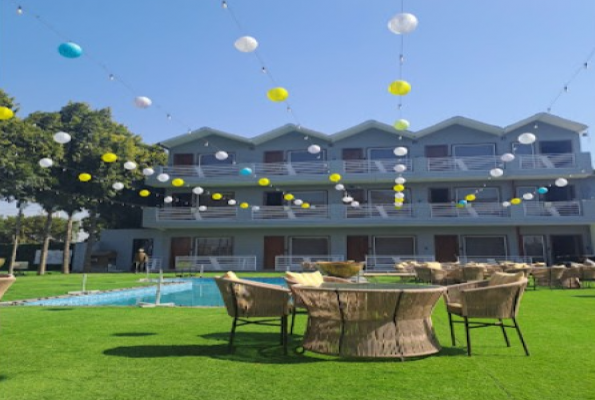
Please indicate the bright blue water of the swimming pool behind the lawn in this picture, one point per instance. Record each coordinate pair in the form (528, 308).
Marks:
(188, 292)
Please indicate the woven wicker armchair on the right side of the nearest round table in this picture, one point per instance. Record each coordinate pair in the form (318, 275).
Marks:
(479, 300)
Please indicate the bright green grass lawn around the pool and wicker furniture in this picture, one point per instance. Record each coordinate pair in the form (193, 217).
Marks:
(181, 353)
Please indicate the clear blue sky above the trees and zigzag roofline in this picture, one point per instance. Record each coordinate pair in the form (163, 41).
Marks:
(495, 61)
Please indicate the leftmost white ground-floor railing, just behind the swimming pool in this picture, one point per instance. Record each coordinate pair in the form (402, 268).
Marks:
(216, 263)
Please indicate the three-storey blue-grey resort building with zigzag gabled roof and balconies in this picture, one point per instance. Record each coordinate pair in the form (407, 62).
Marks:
(455, 203)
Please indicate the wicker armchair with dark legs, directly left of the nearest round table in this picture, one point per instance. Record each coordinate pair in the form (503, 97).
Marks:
(245, 300)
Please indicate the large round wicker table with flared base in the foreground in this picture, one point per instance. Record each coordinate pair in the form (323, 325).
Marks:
(370, 320)
